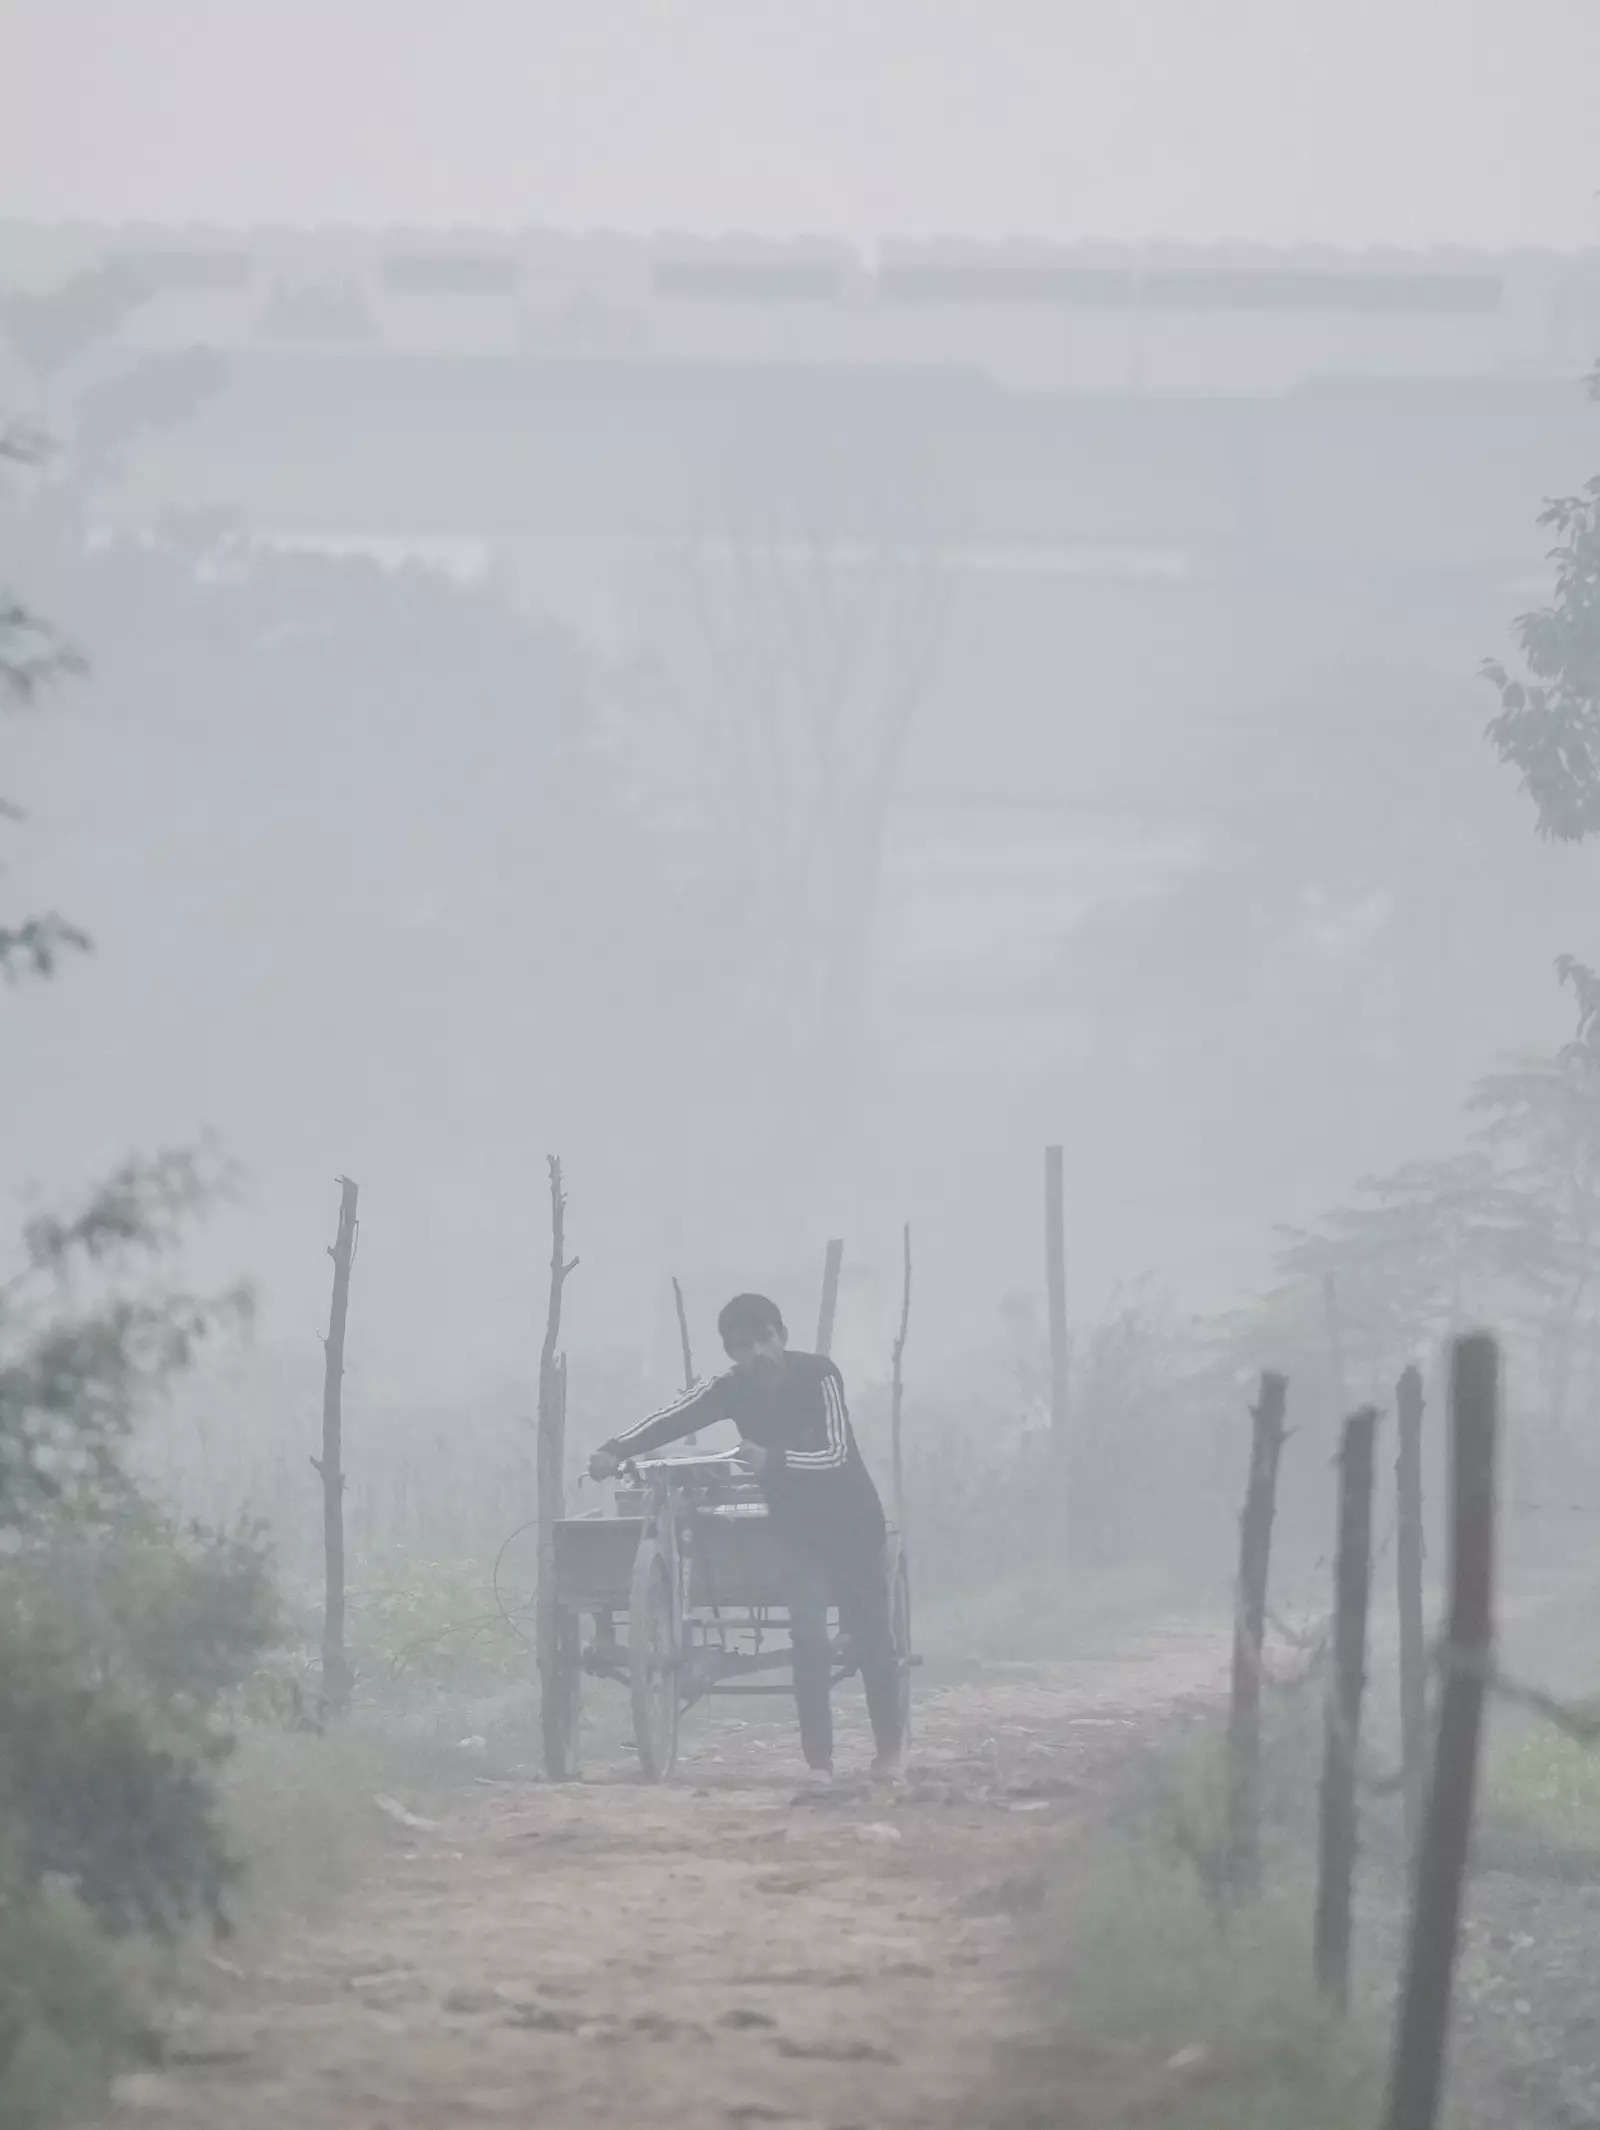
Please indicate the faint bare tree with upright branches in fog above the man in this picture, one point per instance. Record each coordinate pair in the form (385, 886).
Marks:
(813, 615)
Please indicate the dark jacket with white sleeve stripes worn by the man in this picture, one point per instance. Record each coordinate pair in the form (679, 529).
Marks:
(815, 1481)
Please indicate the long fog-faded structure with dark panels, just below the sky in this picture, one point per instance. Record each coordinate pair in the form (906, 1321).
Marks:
(1030, 318)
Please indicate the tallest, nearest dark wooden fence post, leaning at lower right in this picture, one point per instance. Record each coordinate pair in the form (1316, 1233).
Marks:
(1422, 2025)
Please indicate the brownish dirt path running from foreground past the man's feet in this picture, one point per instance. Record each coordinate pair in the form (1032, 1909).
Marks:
(610, 1956)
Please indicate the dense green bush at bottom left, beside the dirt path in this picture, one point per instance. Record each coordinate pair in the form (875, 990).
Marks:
(125, 1643)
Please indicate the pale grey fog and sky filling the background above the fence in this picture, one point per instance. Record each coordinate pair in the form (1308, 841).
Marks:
(783, 730)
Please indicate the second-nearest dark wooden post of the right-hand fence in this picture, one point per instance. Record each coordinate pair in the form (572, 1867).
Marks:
(1343, 1718)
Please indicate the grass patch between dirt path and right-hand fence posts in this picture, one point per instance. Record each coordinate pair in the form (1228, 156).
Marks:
(1164, 2005)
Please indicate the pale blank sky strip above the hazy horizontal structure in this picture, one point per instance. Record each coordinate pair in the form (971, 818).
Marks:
(1343, 122)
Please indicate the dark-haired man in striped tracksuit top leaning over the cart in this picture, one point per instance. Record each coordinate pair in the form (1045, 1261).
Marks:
(826, 1511)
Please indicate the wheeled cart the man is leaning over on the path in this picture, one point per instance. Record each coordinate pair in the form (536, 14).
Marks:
(683, 1594)
